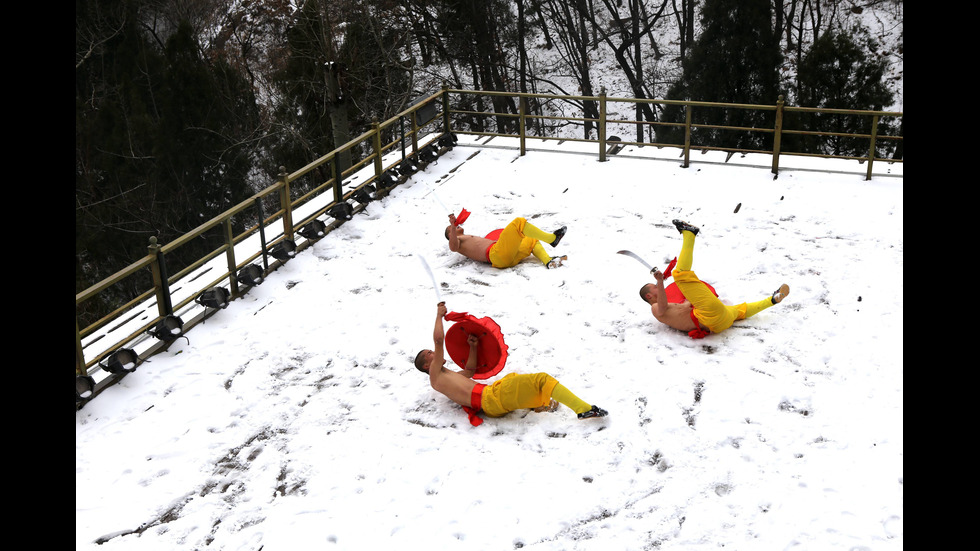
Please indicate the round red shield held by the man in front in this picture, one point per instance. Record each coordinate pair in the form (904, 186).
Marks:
(491, 353)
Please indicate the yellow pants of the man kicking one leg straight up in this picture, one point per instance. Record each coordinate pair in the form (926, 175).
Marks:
(709, 309)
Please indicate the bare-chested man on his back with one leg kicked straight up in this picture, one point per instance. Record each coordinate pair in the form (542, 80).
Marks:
(701, 310)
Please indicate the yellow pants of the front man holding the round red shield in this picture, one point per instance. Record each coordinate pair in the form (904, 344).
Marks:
(527, 391)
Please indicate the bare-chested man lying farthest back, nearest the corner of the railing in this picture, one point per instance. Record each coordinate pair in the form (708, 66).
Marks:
(516, 241)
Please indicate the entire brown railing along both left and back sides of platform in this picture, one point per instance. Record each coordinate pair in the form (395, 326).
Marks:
(274, 234)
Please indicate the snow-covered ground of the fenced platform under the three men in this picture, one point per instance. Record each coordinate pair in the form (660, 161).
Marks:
(294, 419)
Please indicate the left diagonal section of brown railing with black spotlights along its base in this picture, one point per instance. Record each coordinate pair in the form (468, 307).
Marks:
(271, 240)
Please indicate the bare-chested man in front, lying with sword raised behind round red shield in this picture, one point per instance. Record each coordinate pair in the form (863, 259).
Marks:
(537, 391)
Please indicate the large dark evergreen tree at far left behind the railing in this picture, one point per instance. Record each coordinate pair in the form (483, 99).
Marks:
(161, 138)
